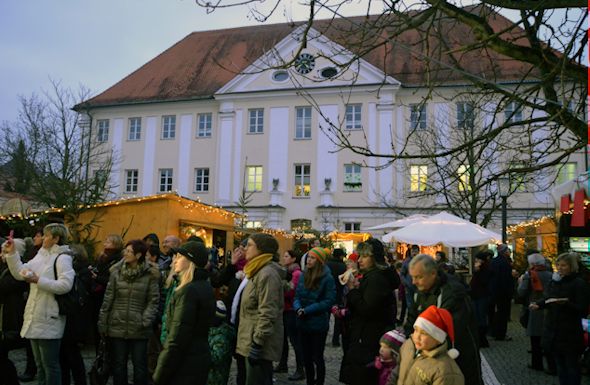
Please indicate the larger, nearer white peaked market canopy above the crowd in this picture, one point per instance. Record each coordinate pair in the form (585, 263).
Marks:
(444, 228)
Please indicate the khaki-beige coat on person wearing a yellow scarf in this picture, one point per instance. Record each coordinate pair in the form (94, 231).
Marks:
(261, 313)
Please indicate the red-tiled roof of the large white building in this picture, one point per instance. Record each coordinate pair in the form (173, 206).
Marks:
(203, 62)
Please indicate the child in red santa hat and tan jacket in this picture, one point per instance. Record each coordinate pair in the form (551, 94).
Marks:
(425, 358)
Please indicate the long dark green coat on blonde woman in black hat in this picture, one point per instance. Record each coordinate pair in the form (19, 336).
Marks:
(185, 358)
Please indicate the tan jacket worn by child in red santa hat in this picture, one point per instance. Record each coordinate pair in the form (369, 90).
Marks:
(433, 367)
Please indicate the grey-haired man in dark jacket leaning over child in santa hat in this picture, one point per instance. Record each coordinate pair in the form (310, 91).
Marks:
(434, 287)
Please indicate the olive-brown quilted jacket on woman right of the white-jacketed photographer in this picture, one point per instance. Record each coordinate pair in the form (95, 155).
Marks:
(129, 308)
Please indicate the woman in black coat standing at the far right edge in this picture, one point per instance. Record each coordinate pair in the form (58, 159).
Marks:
(566, 304)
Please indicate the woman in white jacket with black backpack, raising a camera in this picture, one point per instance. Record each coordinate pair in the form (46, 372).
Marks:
(43, 325)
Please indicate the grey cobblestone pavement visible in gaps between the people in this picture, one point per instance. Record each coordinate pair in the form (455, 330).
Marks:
(503, 363)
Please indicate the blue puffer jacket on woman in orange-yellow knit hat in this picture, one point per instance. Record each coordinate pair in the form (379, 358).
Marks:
(315, 302)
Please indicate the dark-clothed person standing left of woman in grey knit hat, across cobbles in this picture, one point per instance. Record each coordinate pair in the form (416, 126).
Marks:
(502, 287)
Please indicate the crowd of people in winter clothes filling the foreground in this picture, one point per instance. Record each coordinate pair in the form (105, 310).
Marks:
(182, 316)
